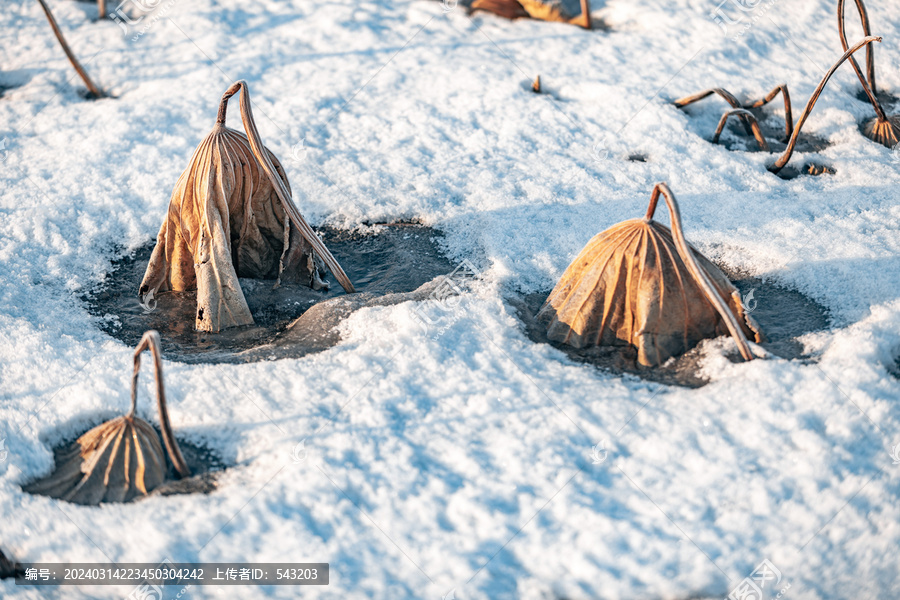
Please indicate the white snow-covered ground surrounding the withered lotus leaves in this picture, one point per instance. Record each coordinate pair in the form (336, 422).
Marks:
(461, 459)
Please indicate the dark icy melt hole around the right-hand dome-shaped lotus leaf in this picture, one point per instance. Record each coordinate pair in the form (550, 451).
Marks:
(783, 315)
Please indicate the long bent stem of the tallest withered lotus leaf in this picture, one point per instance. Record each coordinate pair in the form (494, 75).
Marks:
(283, 193)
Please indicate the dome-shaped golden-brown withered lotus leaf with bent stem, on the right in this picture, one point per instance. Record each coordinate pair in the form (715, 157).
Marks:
(640, 284)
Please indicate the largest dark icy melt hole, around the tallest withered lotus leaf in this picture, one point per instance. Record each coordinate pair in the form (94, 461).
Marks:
(387, 264)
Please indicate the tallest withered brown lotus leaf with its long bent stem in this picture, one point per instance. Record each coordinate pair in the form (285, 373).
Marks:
(230, 216)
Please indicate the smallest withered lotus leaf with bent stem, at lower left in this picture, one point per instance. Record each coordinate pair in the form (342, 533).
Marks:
(121, 459)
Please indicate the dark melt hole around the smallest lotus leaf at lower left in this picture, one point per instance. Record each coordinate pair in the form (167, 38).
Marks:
(204, 463)
